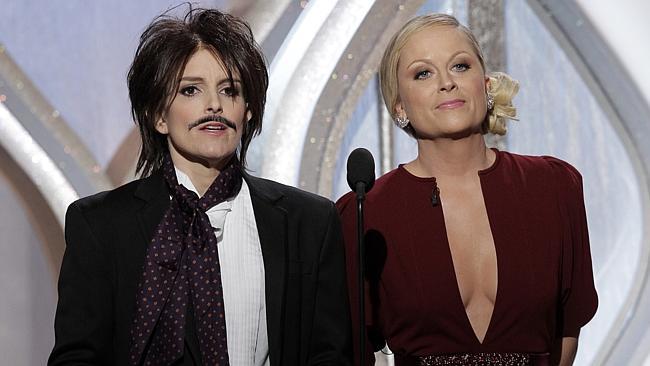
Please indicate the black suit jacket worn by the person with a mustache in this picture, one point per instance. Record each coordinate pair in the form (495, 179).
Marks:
(106, 239)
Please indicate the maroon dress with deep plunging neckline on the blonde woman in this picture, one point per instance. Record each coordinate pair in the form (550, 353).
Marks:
(545, 283)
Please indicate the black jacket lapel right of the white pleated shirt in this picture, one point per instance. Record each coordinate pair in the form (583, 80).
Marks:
(271, 221)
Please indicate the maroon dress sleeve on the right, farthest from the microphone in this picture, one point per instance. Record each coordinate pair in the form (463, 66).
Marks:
(578, 298)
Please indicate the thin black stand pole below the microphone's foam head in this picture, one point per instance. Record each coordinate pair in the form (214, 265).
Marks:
(361, 193)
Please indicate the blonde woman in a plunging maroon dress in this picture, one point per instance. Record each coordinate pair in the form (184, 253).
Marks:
(476, 256)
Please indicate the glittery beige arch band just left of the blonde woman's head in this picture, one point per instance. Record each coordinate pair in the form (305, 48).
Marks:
(356, 66)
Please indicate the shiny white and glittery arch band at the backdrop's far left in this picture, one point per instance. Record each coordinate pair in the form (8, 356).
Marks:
(45, 161)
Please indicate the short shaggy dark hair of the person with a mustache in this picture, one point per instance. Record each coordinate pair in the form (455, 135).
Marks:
(165, 48)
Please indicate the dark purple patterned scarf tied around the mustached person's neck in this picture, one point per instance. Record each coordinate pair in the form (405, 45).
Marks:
(181, 270)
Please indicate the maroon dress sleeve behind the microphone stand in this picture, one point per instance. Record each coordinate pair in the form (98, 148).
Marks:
(346, 206)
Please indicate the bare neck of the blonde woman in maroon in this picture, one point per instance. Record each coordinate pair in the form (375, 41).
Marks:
(445, 157)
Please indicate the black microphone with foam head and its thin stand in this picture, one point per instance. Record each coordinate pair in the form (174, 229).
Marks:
(361, 178)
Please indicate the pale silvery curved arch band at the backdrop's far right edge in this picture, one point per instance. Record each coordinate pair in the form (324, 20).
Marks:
(623, 103)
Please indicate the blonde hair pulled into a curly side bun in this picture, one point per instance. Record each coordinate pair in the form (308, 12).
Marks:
(500, 83)
